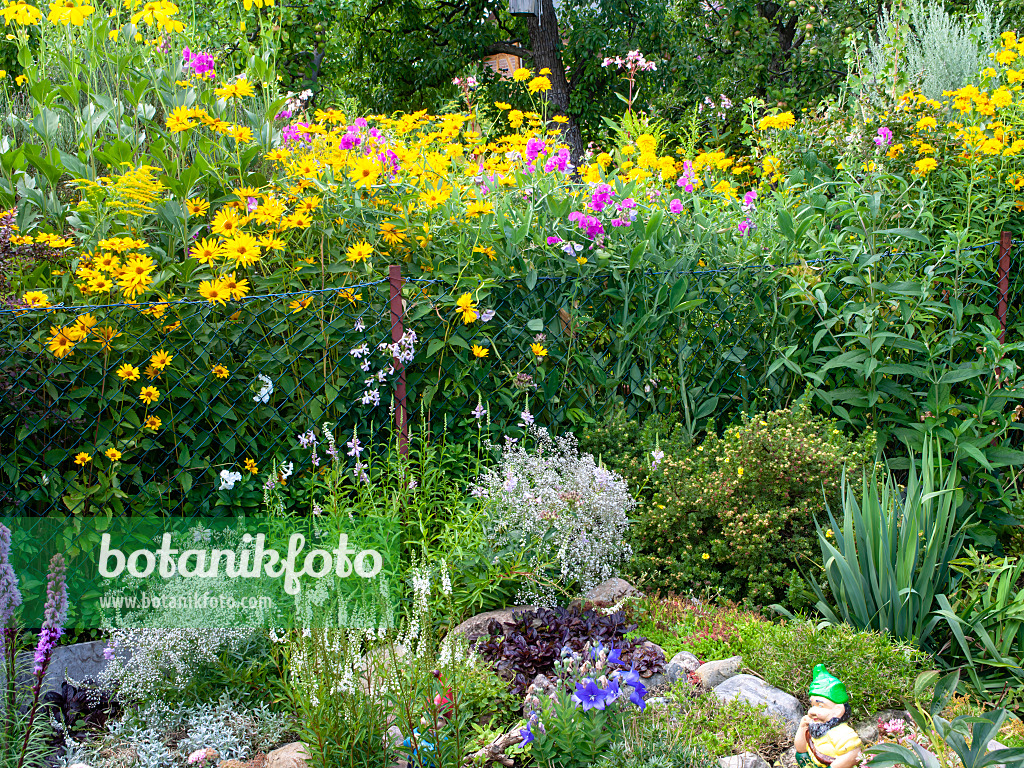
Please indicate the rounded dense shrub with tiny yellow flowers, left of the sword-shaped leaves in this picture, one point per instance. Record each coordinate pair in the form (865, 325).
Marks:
(737, 514)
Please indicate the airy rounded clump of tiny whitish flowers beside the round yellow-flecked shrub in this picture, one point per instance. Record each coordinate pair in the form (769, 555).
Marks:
(571, 515)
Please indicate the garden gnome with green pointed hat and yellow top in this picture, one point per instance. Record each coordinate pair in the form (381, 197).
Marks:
(825, 740)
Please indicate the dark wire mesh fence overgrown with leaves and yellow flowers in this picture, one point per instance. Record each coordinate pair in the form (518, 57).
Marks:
(167, 407)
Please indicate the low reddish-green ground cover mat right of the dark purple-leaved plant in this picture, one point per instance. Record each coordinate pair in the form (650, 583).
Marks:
(706, 630)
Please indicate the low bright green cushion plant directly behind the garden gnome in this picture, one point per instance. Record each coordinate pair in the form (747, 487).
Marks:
(878, 671)
